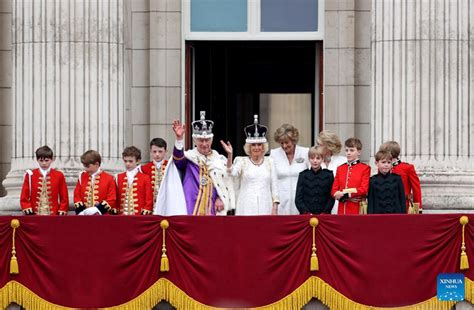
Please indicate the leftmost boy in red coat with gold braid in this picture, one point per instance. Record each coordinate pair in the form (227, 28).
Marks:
(44, 190)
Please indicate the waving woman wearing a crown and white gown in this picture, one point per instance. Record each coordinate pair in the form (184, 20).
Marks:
(258, 194)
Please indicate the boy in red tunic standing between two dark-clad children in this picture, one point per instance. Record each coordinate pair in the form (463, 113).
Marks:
(351, 183)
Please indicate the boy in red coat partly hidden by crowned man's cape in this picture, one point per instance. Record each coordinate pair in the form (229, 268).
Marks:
(156, 168)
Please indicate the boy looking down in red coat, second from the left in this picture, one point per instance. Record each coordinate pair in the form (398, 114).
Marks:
(95, 191)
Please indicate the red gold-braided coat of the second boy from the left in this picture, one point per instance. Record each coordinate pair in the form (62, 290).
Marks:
(102, 191)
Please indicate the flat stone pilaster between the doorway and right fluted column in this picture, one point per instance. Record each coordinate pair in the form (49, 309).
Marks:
(347, 70)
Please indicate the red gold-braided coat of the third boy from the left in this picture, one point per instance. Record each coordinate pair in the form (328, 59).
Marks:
(135, 199)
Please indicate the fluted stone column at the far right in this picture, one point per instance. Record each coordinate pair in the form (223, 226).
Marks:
(423, 93)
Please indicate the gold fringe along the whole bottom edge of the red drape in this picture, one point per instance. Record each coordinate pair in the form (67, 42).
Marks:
(163, 289)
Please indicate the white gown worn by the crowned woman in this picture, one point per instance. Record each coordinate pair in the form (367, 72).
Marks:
(258, 188)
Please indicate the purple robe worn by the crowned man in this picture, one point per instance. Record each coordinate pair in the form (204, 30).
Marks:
(191, 182)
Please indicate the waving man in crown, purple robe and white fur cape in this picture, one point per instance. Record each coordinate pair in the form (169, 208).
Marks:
(206, 189)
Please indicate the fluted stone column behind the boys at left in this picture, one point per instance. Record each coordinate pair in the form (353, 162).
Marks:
(68, 85)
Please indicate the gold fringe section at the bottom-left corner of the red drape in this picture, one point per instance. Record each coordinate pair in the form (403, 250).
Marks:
(15, 292)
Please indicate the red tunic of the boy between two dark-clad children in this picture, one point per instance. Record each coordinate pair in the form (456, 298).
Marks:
(354, 177)
